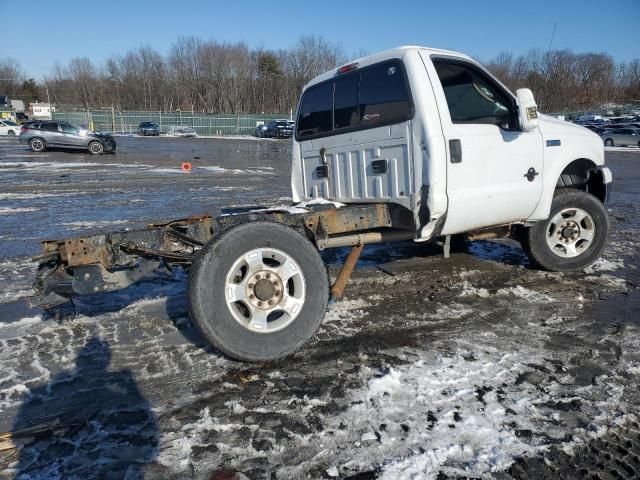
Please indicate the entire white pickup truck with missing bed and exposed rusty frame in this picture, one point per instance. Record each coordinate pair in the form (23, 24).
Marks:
(411, 143)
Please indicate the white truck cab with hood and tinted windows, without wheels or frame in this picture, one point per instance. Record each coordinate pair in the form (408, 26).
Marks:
(432, 130)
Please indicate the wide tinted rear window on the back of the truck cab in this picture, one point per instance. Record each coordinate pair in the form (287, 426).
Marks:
(373, 96)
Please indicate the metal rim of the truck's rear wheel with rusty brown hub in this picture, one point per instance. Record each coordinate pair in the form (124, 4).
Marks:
(265, 290)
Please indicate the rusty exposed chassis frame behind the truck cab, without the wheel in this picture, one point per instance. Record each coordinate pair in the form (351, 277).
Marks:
(111, 261)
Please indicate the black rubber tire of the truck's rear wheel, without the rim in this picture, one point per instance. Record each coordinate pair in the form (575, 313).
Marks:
(211, 313)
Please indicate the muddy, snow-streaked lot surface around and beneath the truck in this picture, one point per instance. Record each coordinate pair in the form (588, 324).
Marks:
(477, 365)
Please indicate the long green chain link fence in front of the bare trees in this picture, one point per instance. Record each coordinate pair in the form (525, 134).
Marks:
(126, 122)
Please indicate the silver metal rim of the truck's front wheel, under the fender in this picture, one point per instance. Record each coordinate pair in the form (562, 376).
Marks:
(570, 232)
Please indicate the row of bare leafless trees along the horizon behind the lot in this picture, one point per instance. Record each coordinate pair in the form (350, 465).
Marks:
(219, 77)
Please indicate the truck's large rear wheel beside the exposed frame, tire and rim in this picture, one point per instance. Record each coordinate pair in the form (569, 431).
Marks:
(258, 292)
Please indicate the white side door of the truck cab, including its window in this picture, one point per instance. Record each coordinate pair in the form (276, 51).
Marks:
(494, 170)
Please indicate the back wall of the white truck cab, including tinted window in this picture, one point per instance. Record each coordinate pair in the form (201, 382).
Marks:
(353, 136)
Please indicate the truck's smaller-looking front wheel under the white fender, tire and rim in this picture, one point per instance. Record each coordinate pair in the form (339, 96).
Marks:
(573, 236)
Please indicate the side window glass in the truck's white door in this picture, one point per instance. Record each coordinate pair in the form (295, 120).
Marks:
(473, 97)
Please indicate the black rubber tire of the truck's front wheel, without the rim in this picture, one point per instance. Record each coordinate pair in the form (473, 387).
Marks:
(534, 239)
